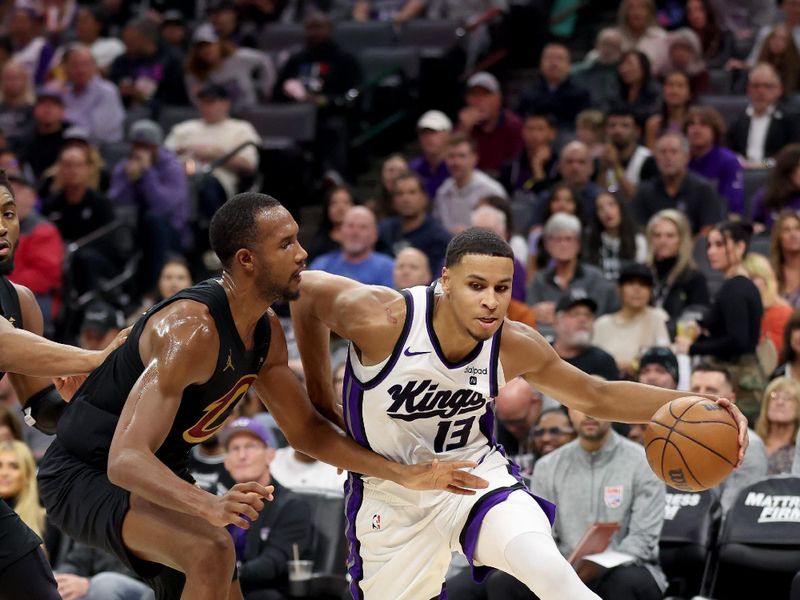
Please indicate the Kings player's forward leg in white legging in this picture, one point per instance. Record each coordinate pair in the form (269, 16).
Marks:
(515, 537)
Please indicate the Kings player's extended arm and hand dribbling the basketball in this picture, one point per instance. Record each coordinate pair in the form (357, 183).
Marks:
(525, 352)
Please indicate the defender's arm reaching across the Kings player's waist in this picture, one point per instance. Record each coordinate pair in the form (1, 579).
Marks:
(310, 433)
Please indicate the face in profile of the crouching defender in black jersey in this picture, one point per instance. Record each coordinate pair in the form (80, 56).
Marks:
(279, 258)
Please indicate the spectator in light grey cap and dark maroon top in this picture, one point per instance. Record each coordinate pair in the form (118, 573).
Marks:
(496, 131)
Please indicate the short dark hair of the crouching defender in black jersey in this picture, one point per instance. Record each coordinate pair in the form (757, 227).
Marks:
(233, 226)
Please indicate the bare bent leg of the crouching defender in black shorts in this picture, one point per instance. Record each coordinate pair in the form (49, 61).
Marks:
(202, 552)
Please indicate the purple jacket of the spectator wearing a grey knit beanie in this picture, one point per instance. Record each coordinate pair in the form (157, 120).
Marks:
(162, 189)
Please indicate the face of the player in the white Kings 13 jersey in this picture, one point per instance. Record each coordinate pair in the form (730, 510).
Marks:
(479, 289)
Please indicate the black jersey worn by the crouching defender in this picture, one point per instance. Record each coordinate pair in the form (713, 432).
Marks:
(87, 426)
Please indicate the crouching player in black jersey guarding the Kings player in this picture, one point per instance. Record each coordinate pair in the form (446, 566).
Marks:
(116, 476)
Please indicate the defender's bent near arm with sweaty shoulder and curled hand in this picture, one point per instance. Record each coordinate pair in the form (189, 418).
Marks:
(179, 348)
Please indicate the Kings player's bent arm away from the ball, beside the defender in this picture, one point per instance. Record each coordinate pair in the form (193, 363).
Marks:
(357, 312)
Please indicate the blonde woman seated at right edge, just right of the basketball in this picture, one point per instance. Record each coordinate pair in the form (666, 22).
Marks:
(778, 423)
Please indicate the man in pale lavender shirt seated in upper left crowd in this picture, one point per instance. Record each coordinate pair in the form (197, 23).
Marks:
(91, 102)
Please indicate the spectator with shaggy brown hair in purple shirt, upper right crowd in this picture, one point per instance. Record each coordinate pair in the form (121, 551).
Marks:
(705, 131)
